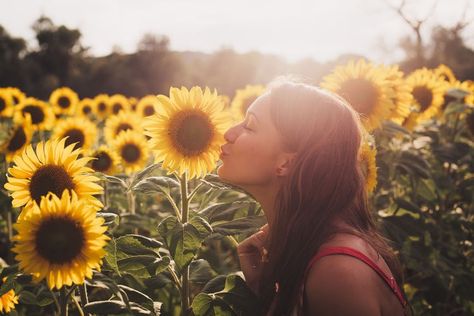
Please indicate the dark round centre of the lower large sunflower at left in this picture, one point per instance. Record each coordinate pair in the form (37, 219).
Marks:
(59, 240)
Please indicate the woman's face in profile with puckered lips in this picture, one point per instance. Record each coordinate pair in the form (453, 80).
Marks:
(253, 151)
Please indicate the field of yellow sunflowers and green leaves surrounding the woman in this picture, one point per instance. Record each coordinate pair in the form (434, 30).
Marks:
(111, 205)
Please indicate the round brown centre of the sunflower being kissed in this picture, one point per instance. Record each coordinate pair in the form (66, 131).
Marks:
(191, 132)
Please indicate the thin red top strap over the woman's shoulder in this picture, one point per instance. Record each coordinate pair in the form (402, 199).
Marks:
(327, 251)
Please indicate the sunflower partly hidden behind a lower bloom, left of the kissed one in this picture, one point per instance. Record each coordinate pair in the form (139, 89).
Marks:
(121, 122)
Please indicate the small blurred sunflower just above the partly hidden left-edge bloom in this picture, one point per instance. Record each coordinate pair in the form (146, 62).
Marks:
(42, 116)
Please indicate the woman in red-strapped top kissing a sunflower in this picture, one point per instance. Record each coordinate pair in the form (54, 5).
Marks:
(296, 153)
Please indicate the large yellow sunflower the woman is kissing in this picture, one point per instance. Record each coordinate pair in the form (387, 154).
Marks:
(187, 130)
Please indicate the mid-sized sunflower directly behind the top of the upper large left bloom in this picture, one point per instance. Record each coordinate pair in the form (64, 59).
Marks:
(79, 131)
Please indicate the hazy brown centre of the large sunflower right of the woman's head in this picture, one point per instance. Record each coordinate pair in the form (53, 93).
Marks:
(361, 94)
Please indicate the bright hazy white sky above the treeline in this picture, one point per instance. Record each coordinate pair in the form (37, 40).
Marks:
(296, 29)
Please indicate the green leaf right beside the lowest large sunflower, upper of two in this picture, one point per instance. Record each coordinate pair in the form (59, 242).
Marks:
(133, 244)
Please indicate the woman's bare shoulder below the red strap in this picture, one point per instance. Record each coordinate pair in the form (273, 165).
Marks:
(341, 285)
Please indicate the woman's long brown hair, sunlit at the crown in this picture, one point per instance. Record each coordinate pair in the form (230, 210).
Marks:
(324, 183)
